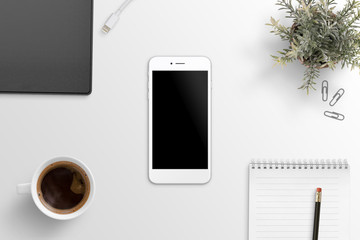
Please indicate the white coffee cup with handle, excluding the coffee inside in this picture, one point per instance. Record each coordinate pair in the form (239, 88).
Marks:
(31, 188)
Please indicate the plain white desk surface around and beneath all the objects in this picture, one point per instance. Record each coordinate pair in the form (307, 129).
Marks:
(258, 112)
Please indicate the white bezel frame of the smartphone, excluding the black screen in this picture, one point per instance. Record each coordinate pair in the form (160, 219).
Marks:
(179, 176)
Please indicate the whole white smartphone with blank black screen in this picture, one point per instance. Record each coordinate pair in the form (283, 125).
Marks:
(179, 120)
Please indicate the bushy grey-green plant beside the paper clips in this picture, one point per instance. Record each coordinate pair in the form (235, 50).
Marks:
(319, 37)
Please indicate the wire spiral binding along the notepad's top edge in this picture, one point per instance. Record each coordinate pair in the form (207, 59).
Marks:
(300, 164)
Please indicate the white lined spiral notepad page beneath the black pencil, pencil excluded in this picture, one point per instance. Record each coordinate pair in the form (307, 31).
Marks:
(282, 199)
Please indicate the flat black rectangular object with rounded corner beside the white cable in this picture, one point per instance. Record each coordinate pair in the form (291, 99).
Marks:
(46, 46)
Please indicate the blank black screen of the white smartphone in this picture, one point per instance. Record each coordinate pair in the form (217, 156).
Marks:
(180, 120)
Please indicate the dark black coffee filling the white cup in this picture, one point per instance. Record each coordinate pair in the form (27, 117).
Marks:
(63, 187)
